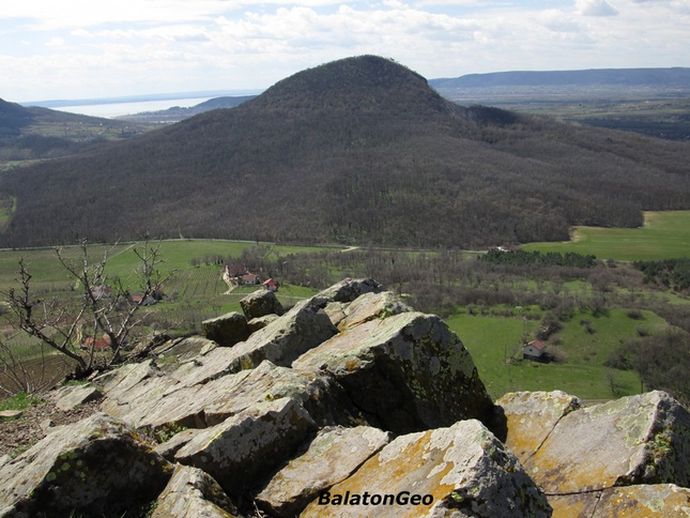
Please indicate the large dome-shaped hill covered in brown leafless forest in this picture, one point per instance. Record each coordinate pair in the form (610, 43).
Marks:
(359, 150)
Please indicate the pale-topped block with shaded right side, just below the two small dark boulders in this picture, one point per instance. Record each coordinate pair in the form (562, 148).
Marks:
(286, 338)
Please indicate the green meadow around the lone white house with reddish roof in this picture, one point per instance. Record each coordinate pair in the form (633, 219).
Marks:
(494, 341)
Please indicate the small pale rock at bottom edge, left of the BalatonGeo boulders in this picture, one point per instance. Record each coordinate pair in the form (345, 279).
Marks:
(191, 492)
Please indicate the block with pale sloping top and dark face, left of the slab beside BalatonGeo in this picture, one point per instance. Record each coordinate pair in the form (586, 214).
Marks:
(246, 447)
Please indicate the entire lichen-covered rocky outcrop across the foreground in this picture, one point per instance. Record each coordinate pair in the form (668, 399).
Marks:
(349, 404)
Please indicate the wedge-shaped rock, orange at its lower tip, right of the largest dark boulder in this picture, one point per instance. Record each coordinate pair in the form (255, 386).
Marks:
(531, 416)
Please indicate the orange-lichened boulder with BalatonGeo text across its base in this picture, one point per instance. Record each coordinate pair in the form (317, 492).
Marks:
(458, 471)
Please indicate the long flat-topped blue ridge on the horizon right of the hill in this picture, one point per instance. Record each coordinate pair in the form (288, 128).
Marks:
(667, 77)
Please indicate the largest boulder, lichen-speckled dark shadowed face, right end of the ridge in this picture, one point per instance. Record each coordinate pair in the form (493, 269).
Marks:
(406, 372)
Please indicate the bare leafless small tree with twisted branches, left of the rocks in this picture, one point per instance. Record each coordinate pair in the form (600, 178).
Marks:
(96, 326)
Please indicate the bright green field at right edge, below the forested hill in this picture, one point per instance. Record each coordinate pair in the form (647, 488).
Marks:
(664, 235)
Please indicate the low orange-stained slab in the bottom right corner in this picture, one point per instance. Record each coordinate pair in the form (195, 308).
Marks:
(647, 501)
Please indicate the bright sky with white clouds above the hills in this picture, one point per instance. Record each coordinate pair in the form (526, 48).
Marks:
(51, 49)
